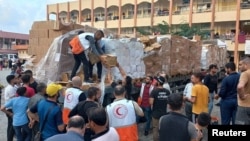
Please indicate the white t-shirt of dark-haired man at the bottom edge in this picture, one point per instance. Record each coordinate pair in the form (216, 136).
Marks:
(110, 135)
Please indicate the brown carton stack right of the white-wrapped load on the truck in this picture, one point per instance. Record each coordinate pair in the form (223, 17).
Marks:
(178, 56)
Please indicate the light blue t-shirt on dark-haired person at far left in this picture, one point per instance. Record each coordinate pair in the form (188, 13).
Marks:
(19, 107)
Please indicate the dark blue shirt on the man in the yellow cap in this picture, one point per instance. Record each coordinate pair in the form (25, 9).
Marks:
(54, 118)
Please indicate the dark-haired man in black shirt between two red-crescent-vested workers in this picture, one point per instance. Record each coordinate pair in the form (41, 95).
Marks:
(83, 107)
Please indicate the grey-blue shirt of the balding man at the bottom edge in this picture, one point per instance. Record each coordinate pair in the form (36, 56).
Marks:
(69, 136)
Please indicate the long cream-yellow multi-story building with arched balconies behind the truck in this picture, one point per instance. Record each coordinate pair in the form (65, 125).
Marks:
(220, 17)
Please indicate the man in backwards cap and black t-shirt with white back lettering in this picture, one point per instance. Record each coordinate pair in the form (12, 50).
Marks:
(158, 102)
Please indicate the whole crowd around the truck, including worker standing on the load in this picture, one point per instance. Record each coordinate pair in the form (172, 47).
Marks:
(33, 111)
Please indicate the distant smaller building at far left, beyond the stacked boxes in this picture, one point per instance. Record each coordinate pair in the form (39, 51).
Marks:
(9, 39)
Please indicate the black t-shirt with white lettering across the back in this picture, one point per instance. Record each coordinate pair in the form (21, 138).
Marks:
(160, 96)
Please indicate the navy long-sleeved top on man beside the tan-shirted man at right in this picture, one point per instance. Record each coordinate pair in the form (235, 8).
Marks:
(229, 84)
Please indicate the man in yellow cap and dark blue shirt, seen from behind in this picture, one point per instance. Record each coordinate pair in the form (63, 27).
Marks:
(54, 123)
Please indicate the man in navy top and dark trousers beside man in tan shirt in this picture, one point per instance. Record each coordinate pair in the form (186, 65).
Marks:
(228, 94)
